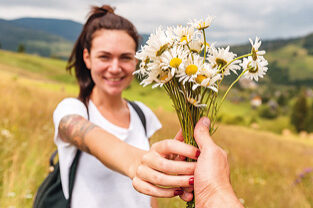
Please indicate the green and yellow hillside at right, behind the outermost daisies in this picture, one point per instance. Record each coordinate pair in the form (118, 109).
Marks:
(291, 59)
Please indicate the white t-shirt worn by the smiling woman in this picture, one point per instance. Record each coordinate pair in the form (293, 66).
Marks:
(97, 186)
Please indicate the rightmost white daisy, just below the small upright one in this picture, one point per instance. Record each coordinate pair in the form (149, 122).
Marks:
(256, 68)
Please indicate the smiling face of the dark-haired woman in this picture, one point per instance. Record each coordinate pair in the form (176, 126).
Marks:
(111, 60)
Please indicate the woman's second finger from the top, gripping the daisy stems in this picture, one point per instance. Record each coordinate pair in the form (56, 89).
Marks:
(156, 162)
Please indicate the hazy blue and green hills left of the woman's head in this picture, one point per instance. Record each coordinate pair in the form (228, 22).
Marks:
(42, 36)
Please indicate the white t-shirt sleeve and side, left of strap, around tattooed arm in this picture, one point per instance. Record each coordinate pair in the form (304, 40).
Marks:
(66, 151)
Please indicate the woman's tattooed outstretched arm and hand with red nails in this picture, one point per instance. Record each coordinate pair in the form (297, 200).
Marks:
(151, 171)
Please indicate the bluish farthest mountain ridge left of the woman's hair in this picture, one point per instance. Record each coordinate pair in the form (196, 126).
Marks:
(67, 29)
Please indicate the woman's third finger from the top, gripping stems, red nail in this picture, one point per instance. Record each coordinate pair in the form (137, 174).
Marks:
(157, 178)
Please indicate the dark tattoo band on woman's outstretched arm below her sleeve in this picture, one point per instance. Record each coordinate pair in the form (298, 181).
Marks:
(73, 129)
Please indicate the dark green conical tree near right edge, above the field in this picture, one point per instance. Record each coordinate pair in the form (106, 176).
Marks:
(299, 112)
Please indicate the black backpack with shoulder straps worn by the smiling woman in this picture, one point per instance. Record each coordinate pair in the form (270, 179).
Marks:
(50, 193)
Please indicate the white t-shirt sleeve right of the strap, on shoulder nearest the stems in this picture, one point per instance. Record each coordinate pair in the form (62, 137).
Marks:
(152, 122)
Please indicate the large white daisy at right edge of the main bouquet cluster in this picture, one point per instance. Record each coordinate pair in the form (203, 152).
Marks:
(221, 58)
